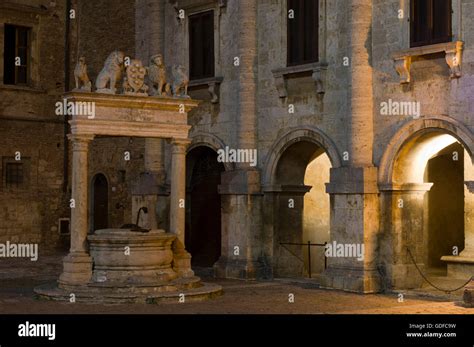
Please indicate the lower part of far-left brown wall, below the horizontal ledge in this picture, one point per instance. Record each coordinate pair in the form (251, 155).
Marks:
(29, 214)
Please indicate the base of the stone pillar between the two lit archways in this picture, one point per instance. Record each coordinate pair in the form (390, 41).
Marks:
(352, 280)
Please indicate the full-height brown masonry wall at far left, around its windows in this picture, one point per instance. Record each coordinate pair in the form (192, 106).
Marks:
(29, 125)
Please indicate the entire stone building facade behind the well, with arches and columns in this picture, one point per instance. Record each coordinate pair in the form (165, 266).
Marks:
(369, 144)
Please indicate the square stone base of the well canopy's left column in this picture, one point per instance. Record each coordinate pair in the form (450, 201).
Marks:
(77, 270)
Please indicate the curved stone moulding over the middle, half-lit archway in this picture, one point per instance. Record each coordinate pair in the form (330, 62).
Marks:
(291, 137)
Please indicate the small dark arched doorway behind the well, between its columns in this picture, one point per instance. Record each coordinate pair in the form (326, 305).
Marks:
(100, 203)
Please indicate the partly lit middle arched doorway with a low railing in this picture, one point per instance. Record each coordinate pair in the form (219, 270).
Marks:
(302, 209)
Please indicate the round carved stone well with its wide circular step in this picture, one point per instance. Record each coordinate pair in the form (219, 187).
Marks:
(130, 266)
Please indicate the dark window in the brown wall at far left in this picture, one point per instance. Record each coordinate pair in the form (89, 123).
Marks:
(16, 51)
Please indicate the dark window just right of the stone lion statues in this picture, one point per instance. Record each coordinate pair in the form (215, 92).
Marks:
(201, 45)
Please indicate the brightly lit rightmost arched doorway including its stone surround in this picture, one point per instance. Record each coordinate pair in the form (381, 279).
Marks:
(426, 205)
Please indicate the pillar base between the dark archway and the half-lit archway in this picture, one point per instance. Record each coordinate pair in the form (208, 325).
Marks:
(241, 269)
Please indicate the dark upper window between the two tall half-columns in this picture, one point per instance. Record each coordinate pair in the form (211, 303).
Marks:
(303, 31)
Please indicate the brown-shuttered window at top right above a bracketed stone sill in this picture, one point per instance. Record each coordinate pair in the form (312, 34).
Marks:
(430, 22)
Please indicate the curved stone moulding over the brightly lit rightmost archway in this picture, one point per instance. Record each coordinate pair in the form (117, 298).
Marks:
(406, 132)
